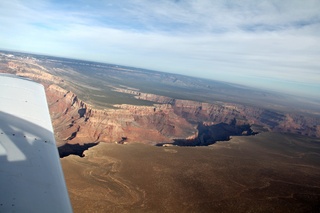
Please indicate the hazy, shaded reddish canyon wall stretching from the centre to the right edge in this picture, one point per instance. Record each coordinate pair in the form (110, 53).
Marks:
(225, 112)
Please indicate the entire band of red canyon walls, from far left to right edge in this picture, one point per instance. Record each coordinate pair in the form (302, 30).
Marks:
(170, 119)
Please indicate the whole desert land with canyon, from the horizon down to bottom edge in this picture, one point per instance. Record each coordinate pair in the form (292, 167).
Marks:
(134, 140)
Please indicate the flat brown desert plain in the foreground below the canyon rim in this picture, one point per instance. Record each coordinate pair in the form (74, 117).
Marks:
(268, 172)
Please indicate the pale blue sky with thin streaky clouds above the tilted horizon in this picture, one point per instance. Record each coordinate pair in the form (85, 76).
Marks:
(272, 44)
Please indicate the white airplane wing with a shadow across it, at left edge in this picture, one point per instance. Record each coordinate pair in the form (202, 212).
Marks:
(31, 178)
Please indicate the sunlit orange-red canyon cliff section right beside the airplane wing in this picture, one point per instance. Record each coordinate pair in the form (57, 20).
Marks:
(77, 122)
